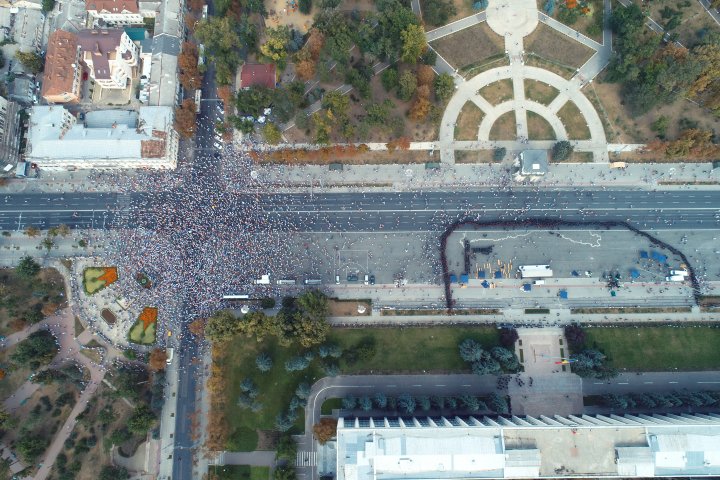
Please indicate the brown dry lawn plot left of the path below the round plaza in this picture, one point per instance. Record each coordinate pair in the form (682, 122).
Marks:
(483, 41)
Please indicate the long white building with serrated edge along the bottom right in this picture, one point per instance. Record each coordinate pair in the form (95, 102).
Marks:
(471, 447)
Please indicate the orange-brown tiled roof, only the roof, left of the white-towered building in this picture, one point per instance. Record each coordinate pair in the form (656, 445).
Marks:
(60, 63)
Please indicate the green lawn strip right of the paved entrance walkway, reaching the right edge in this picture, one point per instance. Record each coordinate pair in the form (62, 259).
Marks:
(658, 348)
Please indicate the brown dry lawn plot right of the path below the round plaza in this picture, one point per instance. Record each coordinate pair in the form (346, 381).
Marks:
(556, 47)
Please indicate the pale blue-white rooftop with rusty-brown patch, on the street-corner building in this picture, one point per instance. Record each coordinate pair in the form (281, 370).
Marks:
(107, 134)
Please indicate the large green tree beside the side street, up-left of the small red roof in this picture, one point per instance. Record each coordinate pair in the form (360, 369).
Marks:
(222, 44)
